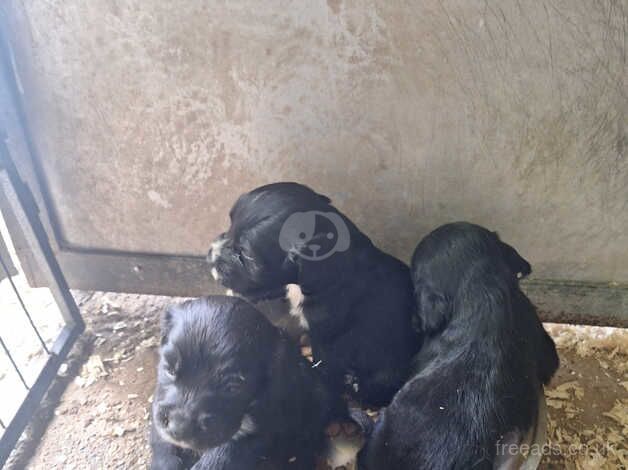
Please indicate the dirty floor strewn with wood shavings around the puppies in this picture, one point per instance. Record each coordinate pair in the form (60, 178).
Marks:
(97, 413)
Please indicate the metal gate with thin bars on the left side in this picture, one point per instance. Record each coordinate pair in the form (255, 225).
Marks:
(18, 207)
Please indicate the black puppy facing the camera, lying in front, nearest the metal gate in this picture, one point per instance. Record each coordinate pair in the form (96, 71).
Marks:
(233, 393)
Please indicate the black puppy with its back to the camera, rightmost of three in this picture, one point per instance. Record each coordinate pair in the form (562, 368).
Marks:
(478, 379)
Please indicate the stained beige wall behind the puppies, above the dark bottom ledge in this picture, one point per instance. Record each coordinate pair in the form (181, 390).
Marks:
(151, 117)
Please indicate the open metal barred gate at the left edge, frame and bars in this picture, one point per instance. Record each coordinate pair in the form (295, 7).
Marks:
(21, 207)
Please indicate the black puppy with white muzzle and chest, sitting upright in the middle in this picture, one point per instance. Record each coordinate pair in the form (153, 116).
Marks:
(355, 300)
